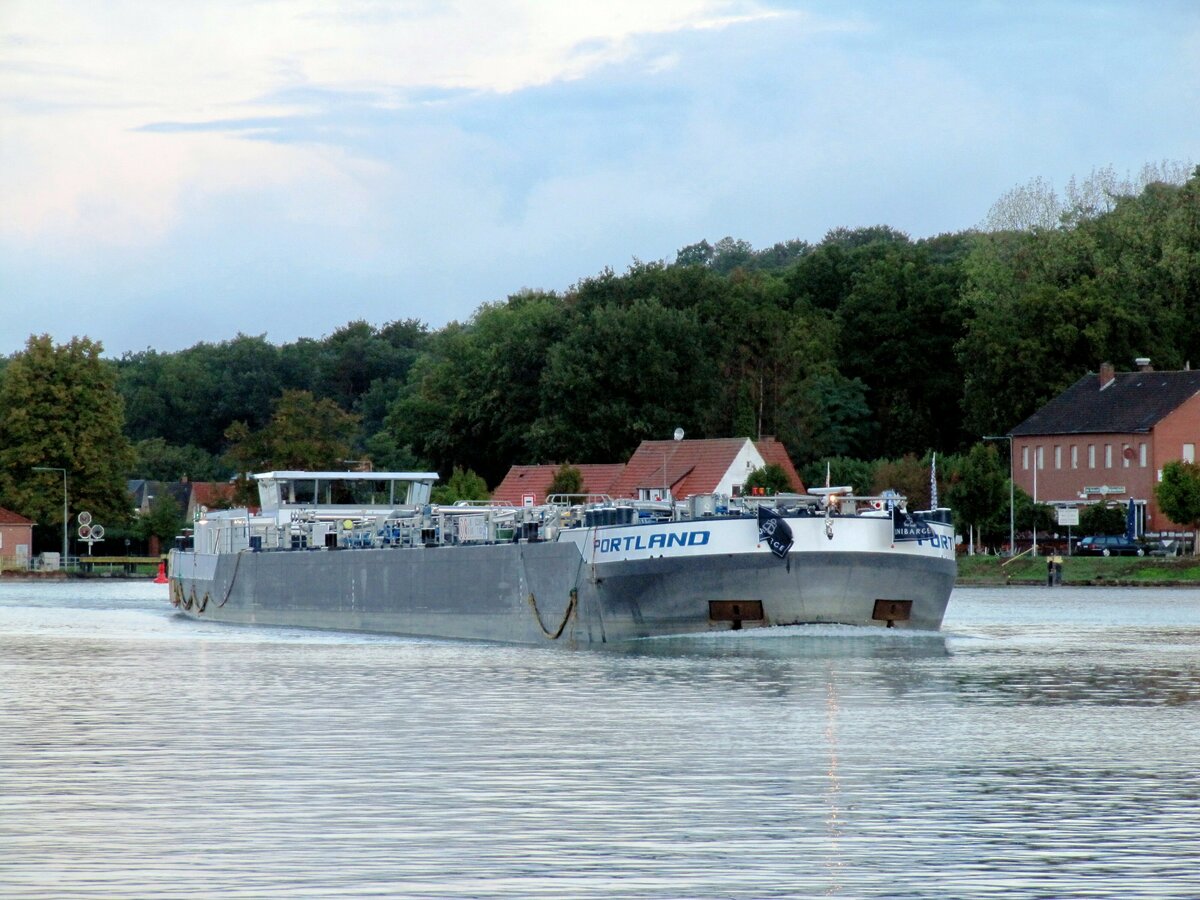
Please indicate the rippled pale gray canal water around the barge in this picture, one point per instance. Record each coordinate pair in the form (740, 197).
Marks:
(1045, 746)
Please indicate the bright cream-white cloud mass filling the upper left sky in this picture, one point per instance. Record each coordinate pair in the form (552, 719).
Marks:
(113, 115)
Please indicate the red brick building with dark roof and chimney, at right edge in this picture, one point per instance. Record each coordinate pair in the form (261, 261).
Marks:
(1108, 437)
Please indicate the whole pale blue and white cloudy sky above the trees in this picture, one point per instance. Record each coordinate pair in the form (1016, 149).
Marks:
(181, 172)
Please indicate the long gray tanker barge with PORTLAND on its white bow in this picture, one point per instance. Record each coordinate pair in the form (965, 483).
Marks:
(370, 553)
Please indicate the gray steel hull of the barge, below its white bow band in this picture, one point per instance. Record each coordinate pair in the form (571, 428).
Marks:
(547, 593)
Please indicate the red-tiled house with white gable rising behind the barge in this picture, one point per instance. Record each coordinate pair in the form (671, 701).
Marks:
(662, 469)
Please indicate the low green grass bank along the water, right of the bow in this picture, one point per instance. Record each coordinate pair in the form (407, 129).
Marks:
(1082, 571)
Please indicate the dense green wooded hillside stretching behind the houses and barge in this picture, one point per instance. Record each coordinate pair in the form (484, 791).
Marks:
(857, 352)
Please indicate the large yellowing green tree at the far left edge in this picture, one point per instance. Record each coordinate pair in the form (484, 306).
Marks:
(62, 409)
